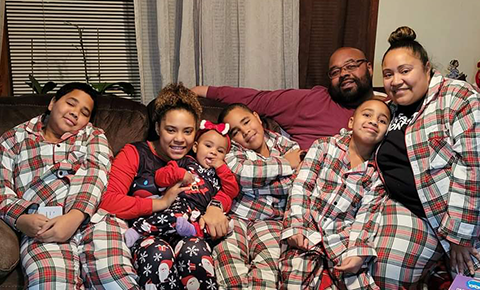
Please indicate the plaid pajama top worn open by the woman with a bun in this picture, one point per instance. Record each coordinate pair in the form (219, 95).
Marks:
(443, 145)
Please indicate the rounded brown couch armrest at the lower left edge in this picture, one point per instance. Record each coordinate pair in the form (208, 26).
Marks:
(9, 249)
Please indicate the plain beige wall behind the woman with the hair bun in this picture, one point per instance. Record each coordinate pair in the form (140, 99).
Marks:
(447, 29)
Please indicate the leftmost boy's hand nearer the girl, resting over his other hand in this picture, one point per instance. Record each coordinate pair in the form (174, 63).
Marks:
(61, 228)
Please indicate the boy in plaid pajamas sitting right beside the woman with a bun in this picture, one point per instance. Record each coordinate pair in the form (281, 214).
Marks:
(334, 208)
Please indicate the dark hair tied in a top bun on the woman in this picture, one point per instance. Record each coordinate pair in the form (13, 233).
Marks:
(404, 37)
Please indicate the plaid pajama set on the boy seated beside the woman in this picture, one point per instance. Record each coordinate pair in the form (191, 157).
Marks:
(337, 209)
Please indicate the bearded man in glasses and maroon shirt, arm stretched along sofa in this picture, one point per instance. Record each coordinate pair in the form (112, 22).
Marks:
(308, 114)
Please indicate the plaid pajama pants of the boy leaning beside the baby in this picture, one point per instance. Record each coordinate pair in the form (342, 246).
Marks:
(248, 257)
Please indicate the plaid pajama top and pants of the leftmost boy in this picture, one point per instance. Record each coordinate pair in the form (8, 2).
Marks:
(71, 174)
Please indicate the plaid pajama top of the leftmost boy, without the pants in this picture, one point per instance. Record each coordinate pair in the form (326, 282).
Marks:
(66, 173)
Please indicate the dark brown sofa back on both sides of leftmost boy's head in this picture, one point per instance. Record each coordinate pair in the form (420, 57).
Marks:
(123, 120)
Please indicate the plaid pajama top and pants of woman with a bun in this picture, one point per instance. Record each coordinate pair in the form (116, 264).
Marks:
(443, 146)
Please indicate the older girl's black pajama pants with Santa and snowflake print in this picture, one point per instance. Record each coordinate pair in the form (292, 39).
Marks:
(189, 266)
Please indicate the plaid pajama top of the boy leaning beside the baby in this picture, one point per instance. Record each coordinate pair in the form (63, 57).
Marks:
(264, 182)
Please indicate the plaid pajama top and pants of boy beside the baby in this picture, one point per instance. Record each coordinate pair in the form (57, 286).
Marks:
(248, 257)
